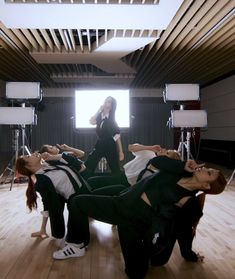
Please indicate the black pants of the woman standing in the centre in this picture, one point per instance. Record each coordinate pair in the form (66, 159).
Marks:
(104, 148)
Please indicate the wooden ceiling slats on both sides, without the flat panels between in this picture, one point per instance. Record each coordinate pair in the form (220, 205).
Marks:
(197, 47)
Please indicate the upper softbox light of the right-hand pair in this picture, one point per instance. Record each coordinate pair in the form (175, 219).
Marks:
(181, 92)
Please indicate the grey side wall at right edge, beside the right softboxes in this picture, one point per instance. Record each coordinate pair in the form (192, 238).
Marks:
(219, 101)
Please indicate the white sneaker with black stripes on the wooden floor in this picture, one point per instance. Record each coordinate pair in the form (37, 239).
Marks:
(69, 251)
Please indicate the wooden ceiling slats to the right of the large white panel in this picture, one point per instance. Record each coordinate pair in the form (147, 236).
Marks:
(177, 48)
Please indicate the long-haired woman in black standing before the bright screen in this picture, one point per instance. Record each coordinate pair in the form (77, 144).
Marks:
(109, 143)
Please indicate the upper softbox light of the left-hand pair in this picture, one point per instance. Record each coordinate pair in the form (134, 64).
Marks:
(23, 90)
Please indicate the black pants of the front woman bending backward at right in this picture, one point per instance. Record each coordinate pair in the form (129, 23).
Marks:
(132, 222)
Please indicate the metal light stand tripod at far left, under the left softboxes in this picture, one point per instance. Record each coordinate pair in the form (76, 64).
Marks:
(22, 150)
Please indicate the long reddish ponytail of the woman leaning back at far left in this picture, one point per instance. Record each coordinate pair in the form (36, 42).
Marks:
(31, 196)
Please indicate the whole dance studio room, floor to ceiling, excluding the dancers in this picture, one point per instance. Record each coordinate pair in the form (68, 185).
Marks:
(170, 66)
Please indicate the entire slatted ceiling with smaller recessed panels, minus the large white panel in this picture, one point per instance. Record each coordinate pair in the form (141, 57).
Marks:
(197, 46)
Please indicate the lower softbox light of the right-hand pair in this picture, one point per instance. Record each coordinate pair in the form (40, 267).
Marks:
(188, 118)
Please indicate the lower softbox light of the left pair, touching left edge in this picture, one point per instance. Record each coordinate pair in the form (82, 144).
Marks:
(16, 115)
